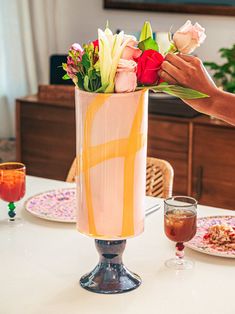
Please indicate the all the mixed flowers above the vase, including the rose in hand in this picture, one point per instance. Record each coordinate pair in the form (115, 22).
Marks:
(119, 63)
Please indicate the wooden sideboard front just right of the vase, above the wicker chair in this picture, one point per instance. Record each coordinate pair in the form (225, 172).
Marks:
(169, 140)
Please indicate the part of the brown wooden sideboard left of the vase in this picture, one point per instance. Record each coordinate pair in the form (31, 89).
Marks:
(45, 132)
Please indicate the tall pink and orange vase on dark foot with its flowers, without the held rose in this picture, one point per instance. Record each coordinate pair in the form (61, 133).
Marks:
(112, 76)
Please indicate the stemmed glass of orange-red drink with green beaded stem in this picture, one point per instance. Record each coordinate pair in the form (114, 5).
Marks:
(12, 185)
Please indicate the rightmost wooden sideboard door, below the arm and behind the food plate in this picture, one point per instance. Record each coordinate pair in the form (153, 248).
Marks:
(214, 166)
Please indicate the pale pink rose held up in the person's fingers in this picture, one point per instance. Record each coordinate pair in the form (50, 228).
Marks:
(189, 37)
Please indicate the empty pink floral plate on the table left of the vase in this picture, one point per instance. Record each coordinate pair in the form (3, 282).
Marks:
(56, 205)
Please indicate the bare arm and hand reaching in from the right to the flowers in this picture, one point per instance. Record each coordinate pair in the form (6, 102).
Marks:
(189, 71)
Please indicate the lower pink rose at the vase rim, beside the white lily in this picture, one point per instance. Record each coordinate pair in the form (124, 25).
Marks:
(125, 79)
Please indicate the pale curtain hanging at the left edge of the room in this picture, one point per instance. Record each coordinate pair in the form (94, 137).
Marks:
(27, 38)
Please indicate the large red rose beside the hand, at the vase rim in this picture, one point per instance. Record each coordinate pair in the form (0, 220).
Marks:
(149, 63)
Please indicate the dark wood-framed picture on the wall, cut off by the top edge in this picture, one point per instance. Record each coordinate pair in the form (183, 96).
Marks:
(218, 7)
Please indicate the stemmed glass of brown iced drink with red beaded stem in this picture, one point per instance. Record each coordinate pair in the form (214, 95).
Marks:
(180, 224)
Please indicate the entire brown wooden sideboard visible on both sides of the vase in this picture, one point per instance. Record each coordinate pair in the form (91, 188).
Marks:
(201, 150)
